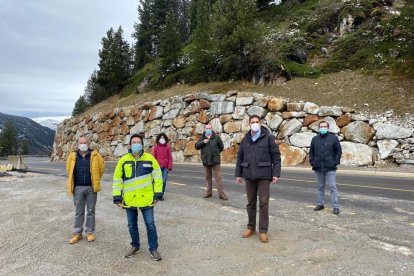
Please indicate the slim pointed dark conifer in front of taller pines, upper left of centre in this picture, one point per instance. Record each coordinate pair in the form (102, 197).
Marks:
(170, 43)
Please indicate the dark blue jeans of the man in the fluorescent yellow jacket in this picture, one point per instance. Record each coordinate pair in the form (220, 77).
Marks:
(148, 214)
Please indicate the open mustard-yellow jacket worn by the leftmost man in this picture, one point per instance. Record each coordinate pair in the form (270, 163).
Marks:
(97, 171)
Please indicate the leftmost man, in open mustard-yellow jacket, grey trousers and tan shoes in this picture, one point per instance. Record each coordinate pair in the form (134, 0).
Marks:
(85, 168)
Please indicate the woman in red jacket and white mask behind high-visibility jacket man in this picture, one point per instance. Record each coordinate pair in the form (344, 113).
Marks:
(162, 152)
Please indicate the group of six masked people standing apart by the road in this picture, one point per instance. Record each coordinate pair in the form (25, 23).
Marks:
(140, 178)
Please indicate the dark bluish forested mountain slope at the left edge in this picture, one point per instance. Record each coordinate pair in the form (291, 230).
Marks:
(40, 138)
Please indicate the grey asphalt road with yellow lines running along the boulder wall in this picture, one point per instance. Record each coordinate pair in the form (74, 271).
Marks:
(296, 185)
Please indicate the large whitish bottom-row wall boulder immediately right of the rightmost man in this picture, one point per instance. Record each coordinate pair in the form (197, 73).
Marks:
(354, 154)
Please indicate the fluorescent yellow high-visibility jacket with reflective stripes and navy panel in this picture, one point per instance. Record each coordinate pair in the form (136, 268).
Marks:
(137, 182)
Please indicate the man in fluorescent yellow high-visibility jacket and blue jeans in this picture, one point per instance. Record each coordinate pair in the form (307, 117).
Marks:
(137, 184)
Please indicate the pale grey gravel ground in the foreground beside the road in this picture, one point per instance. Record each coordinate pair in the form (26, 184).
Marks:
(198, 237)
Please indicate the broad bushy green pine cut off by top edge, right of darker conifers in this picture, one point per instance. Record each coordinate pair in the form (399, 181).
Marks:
(234, 36)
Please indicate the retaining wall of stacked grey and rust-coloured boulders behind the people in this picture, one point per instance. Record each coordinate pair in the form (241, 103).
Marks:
(365, 140)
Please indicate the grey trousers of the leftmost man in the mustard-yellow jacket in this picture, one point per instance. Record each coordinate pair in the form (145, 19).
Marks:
(84, 196)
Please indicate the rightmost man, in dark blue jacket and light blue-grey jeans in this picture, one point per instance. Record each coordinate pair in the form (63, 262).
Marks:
(324, 156)
